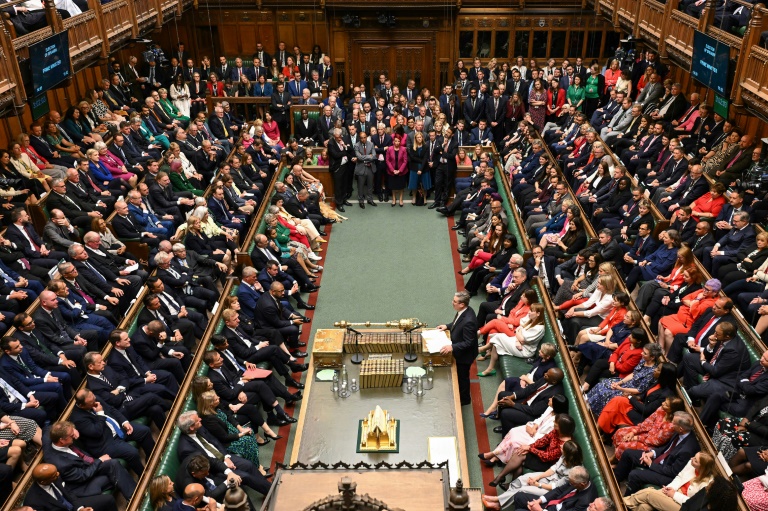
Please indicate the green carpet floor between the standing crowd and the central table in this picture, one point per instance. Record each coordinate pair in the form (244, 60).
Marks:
(389, 263)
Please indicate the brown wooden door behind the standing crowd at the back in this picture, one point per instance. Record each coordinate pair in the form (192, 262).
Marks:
(400, 61)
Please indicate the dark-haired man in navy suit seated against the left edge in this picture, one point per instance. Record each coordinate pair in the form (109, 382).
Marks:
(21, 366)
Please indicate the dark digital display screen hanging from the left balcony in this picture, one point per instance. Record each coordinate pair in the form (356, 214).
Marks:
(49, 62)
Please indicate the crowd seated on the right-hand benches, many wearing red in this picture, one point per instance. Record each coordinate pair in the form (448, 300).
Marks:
(638, 147)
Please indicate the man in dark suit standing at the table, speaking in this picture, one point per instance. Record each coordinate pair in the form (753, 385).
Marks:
(463, 330)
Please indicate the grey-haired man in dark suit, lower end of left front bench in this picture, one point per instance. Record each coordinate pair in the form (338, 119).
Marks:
(195, 439)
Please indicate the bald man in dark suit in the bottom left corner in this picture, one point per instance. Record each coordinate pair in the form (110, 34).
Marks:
(48, 493)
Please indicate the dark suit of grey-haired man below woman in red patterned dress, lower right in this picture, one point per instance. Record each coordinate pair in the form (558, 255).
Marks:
(661, 472)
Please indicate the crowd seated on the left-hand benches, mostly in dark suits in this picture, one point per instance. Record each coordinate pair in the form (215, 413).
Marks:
(127, 165)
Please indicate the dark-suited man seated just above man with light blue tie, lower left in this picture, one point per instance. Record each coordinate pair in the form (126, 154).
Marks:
(133, 402)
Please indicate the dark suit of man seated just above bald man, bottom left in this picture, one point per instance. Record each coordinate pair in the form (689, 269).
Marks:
(87, 479)
